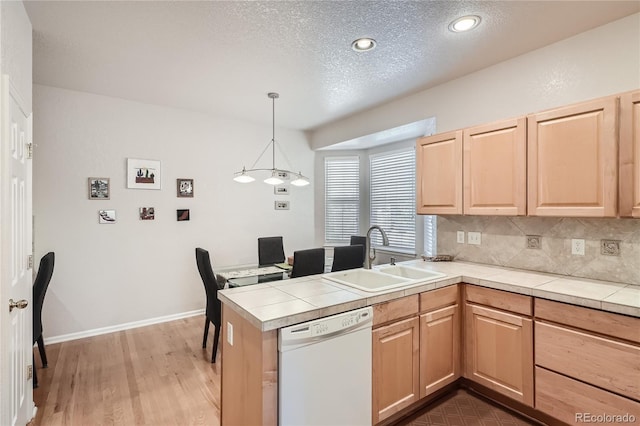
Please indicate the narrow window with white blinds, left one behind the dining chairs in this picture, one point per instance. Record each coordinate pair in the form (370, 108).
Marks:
(342, 198)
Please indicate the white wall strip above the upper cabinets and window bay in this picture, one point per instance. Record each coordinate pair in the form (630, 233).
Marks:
(600, 62)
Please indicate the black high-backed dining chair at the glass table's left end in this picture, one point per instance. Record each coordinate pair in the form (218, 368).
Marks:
(214, 306)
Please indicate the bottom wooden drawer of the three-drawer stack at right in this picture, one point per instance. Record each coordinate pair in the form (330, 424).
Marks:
(571, 401)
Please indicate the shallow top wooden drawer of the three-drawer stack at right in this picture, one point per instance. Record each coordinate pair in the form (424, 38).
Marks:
(615, 325)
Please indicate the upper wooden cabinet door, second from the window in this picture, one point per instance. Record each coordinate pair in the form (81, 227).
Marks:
(495, 168)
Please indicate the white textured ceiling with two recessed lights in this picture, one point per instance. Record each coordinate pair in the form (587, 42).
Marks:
(222, 57)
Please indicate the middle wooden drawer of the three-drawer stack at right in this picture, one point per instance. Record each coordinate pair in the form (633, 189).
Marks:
(602, 362)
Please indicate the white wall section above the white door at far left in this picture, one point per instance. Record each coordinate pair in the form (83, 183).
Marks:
(15, 50)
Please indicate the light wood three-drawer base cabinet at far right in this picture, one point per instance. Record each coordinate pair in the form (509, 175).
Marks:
(587, 361)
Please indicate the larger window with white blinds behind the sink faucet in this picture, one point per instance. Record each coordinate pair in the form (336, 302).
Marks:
(393, 200)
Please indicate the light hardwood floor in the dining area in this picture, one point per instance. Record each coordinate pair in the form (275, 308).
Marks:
(155, 375)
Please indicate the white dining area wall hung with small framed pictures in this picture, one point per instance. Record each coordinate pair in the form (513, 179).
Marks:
(106, 275)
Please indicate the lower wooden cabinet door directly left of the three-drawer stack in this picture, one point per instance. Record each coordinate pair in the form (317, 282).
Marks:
(499, 352)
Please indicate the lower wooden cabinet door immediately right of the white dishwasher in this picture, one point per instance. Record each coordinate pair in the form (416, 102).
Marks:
(395, 367)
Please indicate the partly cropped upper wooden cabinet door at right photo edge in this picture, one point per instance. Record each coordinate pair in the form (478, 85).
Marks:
(630, 154)
